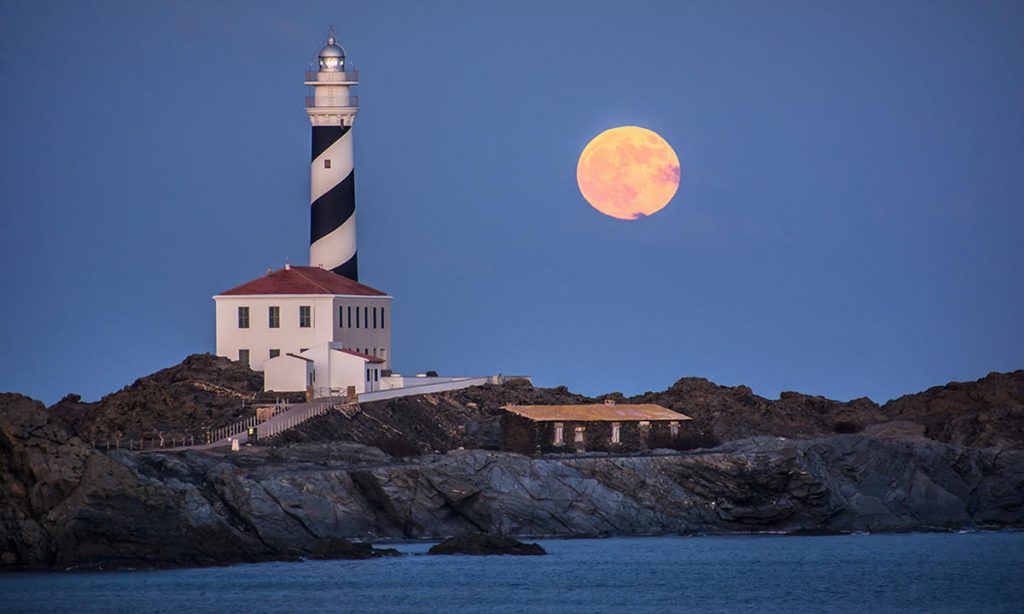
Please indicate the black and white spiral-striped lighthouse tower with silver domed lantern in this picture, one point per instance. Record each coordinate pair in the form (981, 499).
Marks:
(332, 110)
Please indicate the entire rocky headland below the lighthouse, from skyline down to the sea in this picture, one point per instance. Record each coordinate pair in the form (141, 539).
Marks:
(429, 468)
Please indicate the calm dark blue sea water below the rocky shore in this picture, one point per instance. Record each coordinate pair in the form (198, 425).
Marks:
(881, 574)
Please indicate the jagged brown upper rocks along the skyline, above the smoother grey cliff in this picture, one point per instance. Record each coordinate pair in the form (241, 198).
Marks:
(206, 392)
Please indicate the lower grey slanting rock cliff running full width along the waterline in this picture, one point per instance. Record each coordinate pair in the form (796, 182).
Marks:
(66, 505)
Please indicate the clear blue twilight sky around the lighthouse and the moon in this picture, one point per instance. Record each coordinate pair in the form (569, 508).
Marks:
(850, 220)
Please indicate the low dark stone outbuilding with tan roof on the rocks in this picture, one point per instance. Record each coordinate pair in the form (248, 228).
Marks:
(602, 427)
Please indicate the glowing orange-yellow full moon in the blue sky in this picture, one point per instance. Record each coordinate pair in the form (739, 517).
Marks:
(628, 172)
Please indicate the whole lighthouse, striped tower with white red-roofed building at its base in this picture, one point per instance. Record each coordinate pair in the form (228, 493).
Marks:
(317, 329)
